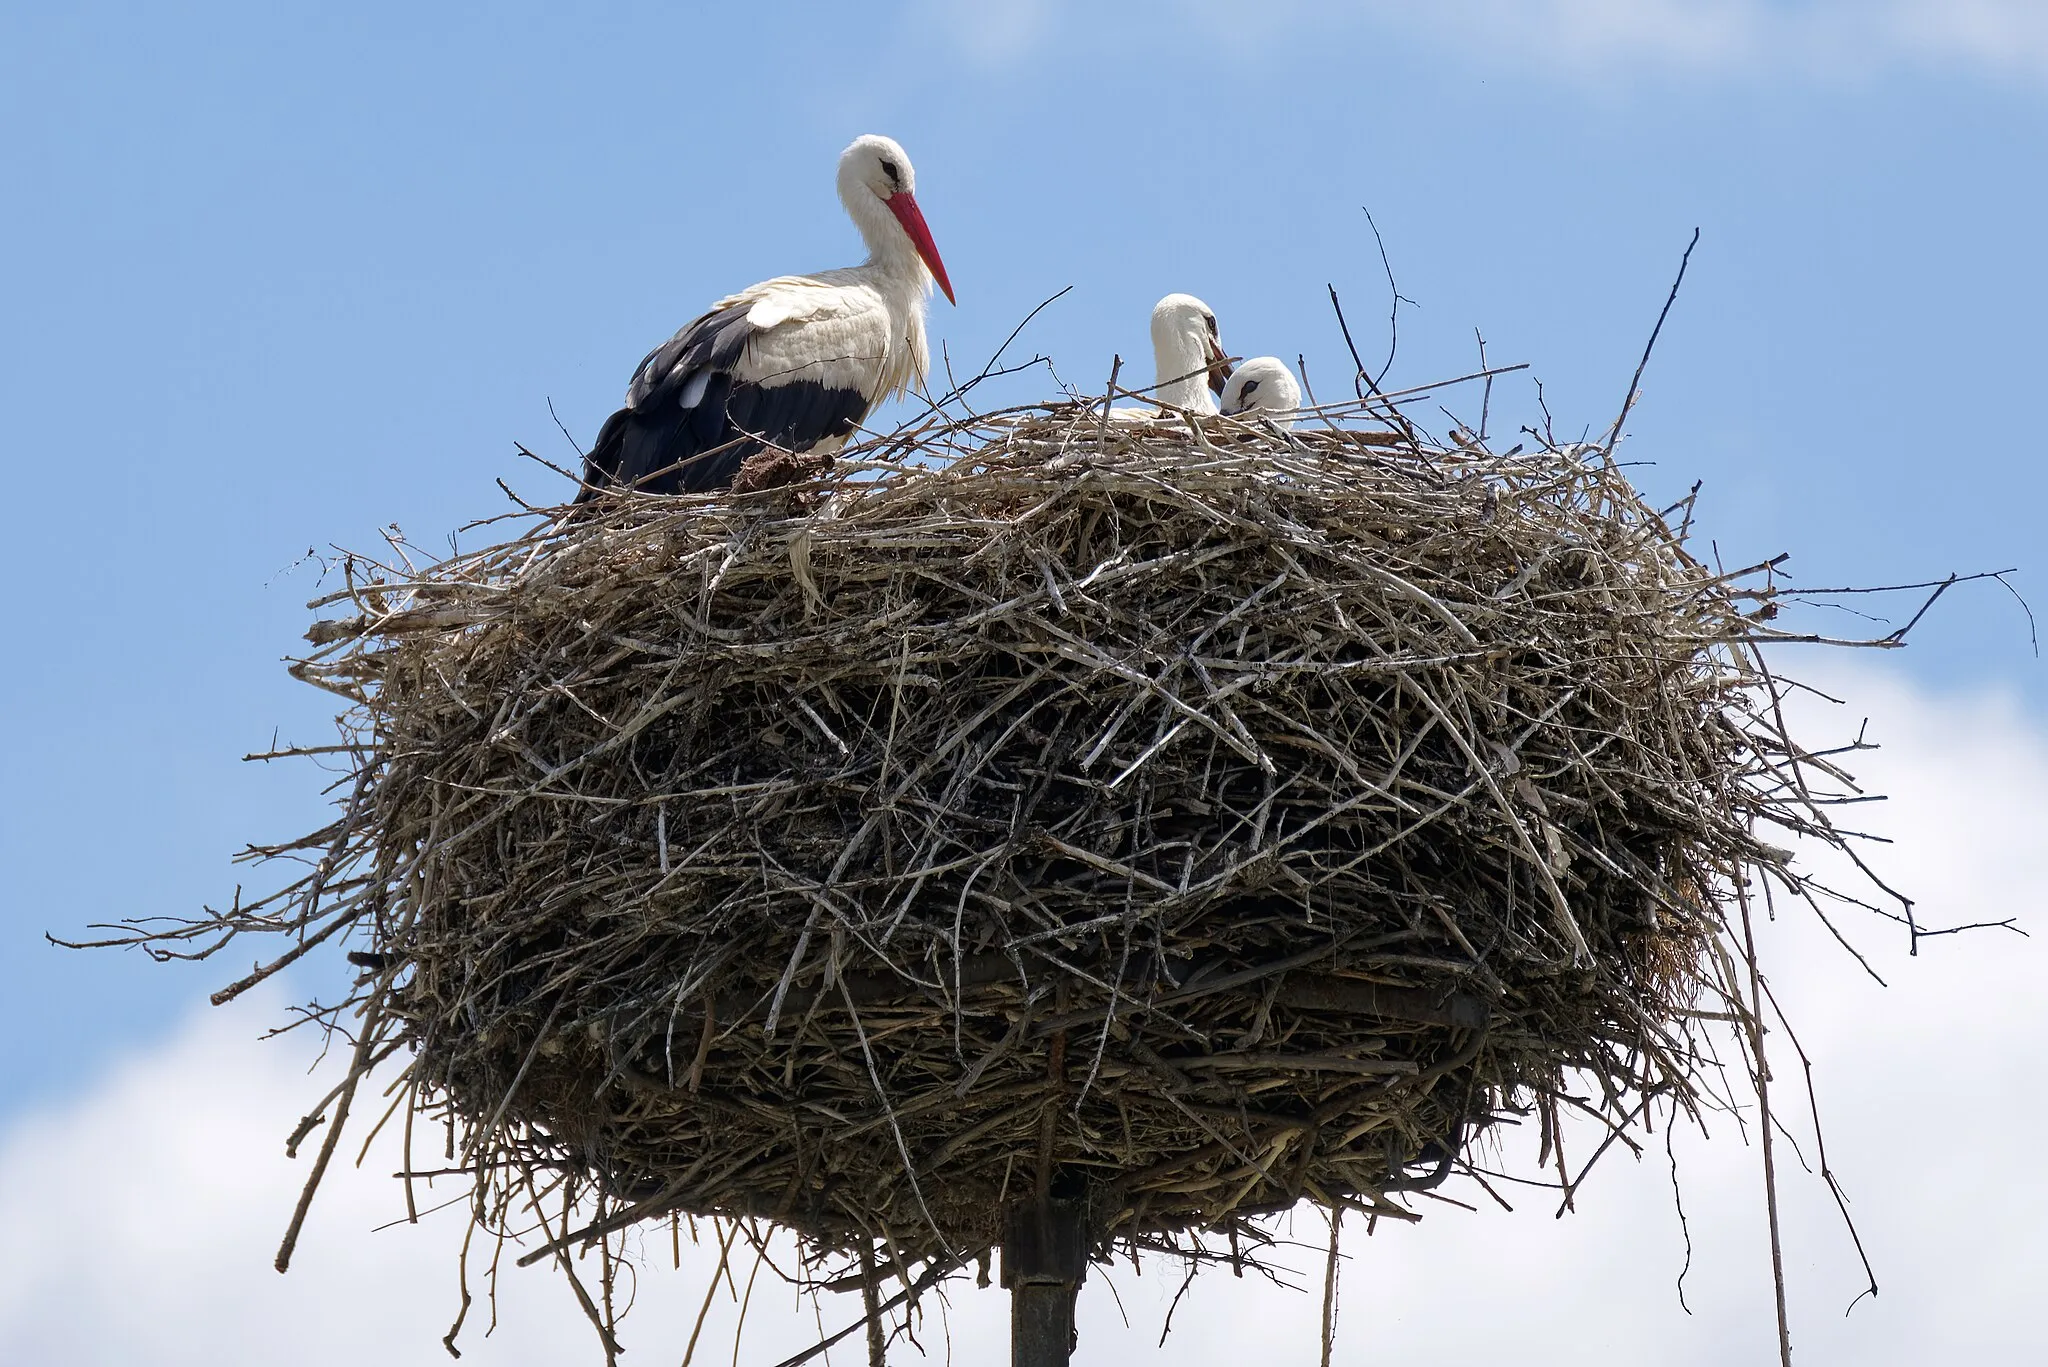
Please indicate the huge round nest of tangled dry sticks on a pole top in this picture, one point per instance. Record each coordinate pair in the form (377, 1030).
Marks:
(1195, 819)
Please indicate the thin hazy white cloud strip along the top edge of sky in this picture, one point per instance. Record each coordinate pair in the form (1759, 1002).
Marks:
(1580, 38)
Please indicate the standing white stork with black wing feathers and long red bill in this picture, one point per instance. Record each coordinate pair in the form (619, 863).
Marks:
(792, 364)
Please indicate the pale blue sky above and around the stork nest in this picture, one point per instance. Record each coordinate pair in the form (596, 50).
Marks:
(278, 276)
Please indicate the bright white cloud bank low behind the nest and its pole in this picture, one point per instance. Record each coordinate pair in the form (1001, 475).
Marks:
(142, 1218)
